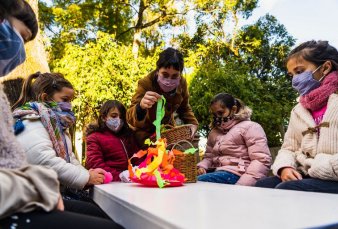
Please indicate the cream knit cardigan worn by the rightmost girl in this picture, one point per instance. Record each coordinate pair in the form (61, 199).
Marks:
(304, 150)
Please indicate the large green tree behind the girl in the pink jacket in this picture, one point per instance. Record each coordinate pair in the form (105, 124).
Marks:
(256, 75)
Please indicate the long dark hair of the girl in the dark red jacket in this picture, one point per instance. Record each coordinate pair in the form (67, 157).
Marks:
(99, 125)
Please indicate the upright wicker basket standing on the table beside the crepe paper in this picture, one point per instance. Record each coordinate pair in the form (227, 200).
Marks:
(187, 163)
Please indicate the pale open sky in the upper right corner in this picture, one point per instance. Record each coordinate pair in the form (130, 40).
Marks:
(304, 19)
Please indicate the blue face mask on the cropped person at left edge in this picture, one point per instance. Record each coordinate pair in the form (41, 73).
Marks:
(12, 51)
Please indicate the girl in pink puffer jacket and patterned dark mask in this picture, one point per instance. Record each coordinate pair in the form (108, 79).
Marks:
(237, 148)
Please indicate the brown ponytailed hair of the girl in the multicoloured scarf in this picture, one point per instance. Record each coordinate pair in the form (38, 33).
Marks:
(38, 83)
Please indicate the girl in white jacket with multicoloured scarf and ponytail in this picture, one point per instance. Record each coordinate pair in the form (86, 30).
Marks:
(43, 116)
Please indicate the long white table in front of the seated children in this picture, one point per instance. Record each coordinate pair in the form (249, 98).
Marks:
(209, 205)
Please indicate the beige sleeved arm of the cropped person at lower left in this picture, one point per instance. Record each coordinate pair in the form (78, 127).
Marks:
(27, 189)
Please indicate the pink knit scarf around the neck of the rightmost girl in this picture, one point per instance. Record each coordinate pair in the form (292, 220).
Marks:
(318, 97)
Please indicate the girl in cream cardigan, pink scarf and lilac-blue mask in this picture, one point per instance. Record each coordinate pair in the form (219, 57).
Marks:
(308, 159)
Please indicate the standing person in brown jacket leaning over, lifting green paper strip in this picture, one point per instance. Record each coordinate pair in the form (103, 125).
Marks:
(166, 80)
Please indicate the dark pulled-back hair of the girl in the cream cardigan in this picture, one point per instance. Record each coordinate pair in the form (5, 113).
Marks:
(316, 52)
